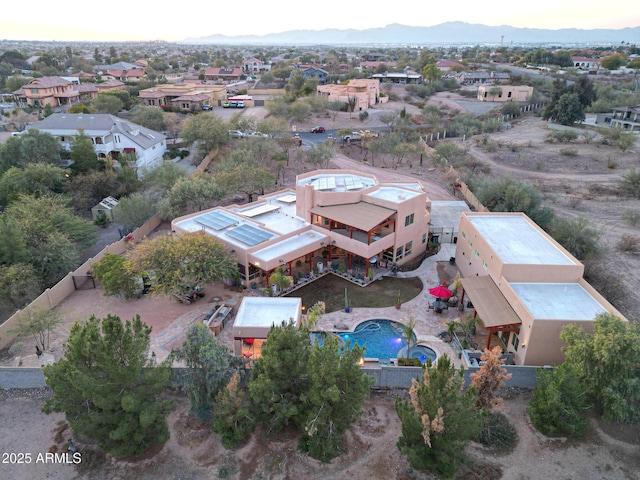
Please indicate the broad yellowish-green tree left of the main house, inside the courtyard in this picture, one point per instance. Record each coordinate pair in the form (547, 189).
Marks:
(179, 263)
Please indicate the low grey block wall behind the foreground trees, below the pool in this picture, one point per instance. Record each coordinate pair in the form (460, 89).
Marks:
(384, 377)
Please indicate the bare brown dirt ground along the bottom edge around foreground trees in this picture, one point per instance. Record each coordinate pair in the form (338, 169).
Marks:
(606, 453)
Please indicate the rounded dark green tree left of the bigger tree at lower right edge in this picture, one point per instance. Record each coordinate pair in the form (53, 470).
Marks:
(558, 403)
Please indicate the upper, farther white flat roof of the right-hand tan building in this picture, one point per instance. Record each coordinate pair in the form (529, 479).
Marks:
(517, 241)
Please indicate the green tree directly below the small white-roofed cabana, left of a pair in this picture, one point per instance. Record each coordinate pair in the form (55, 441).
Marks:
(280, 378)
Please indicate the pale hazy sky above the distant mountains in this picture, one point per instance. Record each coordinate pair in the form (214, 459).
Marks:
(121, 20)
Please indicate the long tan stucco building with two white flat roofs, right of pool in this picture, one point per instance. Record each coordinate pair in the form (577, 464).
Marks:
(524, 285)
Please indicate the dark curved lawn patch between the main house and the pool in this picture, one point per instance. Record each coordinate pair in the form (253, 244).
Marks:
(380, 293)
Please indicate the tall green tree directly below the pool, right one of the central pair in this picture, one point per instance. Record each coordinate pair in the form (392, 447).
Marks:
(337, 392)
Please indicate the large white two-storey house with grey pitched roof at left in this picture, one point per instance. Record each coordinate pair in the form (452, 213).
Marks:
(111, 136)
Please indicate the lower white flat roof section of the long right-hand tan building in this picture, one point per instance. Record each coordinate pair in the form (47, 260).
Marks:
(558, 301)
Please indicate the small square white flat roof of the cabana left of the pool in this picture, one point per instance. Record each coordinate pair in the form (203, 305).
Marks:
(267, 311)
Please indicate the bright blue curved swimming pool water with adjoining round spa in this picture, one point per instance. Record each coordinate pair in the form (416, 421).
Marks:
(383, 340)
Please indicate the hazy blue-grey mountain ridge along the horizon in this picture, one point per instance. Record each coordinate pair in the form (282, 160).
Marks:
(445, 33)
